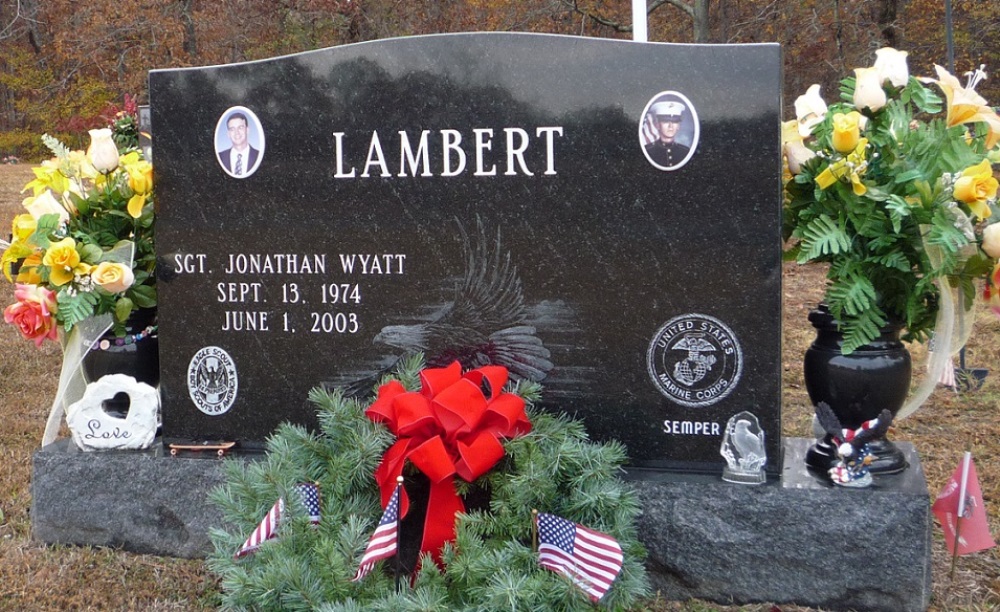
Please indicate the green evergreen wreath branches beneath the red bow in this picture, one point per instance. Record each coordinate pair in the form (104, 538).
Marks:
(492, 566)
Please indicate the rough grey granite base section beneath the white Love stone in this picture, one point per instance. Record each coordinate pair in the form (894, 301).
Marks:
(143, 501)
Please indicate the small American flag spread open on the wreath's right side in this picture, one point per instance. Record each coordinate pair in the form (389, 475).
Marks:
(591, 559)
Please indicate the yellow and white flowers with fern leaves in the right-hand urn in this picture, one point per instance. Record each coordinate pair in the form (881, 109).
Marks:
(895, 190)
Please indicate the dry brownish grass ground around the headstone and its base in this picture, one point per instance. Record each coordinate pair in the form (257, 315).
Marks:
(38, 577)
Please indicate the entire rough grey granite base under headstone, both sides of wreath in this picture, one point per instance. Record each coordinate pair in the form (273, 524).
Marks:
(794, 540)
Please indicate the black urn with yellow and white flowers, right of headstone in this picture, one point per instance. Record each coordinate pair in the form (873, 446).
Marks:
(893, 188)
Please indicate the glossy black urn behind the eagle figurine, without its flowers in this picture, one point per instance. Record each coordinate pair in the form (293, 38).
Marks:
(857, 387)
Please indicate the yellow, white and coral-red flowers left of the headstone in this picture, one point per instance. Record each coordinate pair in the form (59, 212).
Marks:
(85, 246)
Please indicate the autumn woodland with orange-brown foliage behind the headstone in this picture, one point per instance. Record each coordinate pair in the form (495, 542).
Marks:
(63, 62)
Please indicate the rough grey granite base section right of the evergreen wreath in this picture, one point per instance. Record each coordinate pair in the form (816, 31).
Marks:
(798, 540)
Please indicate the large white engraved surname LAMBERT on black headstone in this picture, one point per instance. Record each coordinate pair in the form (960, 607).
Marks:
(414, 159)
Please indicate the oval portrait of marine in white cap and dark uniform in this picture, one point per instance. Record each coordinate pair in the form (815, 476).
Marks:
(668, 130)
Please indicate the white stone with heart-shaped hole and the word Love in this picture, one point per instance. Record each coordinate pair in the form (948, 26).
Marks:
(95, 429)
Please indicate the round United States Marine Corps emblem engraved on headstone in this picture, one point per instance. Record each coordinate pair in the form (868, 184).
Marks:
(695, 360)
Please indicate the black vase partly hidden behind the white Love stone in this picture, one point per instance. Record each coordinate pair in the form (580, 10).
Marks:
(137, 354)
